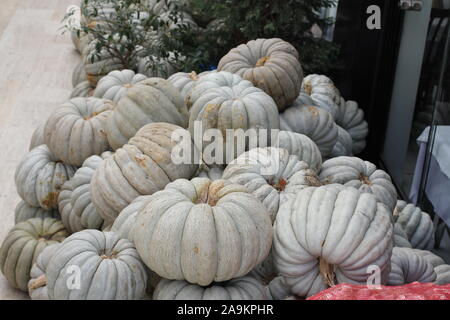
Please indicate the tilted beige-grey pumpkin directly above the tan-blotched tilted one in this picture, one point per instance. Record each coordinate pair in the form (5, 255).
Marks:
(149, 101)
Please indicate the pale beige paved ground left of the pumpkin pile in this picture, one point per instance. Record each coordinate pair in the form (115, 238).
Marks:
(36, 64)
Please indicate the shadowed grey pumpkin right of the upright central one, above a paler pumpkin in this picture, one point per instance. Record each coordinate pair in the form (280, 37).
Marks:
(315, 123)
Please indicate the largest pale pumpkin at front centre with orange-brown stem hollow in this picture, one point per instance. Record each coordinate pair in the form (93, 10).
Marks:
(203, 231)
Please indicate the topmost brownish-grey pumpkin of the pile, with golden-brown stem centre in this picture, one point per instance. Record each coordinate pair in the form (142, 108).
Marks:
(270, 64)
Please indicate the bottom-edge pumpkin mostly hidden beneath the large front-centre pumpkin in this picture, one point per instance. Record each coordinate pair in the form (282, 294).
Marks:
(244, 288)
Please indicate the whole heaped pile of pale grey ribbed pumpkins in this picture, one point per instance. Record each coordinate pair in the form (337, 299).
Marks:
(107, 214)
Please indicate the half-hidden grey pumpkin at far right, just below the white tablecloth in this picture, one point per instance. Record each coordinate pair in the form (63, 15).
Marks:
(417, 225)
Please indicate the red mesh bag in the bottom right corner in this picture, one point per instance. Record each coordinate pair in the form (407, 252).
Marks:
(412, 291)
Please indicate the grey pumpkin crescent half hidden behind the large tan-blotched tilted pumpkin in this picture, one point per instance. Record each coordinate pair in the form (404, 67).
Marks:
(74, 201)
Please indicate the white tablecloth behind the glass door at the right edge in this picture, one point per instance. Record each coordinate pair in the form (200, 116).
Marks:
(438, 183)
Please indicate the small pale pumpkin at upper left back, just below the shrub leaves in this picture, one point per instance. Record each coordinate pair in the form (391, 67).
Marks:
(116, 84)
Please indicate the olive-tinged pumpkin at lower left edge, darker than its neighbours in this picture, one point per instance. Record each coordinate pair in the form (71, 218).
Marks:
(23, 244)
